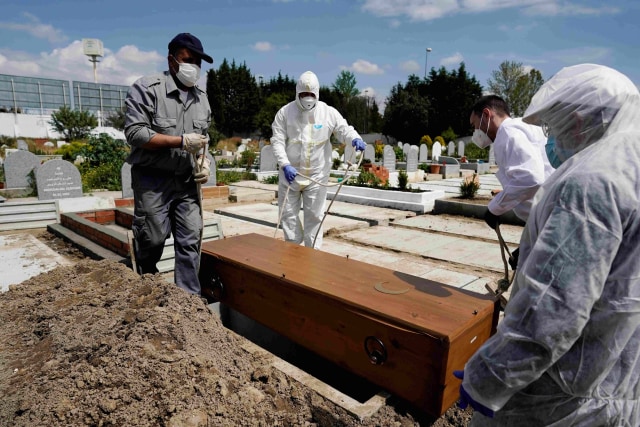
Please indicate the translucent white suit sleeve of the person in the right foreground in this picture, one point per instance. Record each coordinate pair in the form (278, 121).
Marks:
(560, 281)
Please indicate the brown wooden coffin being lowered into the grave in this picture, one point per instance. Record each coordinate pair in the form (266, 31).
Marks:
(404, 333)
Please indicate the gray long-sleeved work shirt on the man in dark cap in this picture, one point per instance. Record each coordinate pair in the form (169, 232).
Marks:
(154, 105)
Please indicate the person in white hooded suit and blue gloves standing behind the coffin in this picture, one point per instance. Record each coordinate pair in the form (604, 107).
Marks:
(301, 143)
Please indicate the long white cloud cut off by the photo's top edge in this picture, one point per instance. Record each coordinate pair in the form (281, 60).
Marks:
(427, 10)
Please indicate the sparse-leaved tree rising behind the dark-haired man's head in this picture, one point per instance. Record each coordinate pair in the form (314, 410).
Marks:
(512, 83)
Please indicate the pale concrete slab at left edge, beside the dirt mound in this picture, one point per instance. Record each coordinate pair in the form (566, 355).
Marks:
(23, 256)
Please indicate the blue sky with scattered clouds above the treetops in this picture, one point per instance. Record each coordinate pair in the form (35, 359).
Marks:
(381, 41)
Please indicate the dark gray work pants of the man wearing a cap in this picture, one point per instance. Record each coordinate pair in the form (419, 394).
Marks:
(167, 204)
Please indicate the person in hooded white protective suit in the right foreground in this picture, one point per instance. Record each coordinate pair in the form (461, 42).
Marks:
(567, 352)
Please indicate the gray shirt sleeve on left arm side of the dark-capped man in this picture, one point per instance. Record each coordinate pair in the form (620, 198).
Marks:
(140, 109)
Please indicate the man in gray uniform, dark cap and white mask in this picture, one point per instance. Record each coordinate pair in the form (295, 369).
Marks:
(166, 126)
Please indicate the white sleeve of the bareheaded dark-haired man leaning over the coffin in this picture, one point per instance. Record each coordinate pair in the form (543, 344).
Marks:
(523, 172)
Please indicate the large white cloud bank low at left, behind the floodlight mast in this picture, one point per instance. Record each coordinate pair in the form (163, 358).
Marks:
(69, 63)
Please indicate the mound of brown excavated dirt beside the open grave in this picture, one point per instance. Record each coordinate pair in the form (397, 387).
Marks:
(96, 345)
